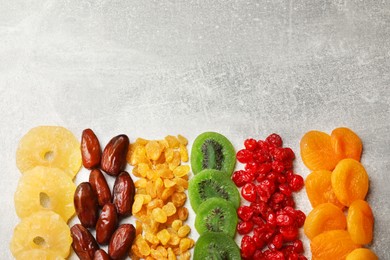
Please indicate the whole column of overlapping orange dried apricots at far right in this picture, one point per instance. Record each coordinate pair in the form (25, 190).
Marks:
(337, 186)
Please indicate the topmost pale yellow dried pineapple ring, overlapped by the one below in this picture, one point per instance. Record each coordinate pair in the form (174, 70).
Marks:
(52, 146)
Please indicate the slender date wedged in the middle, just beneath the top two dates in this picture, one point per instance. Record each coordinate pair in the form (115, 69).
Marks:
(100, 187)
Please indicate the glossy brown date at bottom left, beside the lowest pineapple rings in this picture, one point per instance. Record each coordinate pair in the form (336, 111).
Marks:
(83, 243)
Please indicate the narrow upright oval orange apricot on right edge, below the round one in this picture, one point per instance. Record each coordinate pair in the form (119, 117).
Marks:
(360, 221)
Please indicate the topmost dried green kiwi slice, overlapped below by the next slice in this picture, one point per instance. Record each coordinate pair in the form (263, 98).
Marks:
(212, 151)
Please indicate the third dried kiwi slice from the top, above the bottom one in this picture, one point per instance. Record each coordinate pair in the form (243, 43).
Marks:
(216, 215)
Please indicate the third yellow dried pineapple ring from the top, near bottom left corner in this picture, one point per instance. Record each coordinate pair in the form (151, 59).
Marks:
(42, 230)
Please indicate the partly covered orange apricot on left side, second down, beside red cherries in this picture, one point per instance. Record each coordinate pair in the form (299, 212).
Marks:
(319, 188)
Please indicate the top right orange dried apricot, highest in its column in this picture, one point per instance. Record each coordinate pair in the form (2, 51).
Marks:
(346, 144)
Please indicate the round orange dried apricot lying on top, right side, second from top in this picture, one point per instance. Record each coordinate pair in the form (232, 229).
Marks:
(349, 181)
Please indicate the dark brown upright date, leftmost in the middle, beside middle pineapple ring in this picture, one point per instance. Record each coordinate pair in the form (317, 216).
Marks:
(86, 205)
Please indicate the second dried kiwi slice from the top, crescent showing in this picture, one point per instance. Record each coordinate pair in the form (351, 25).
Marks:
(212, 183)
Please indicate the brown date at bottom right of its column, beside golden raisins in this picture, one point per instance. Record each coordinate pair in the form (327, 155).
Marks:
(121, 241)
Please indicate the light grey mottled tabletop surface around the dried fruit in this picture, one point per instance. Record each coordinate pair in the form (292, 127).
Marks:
(242, 68)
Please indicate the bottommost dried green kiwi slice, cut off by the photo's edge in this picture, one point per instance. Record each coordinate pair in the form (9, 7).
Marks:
(216, 246)
